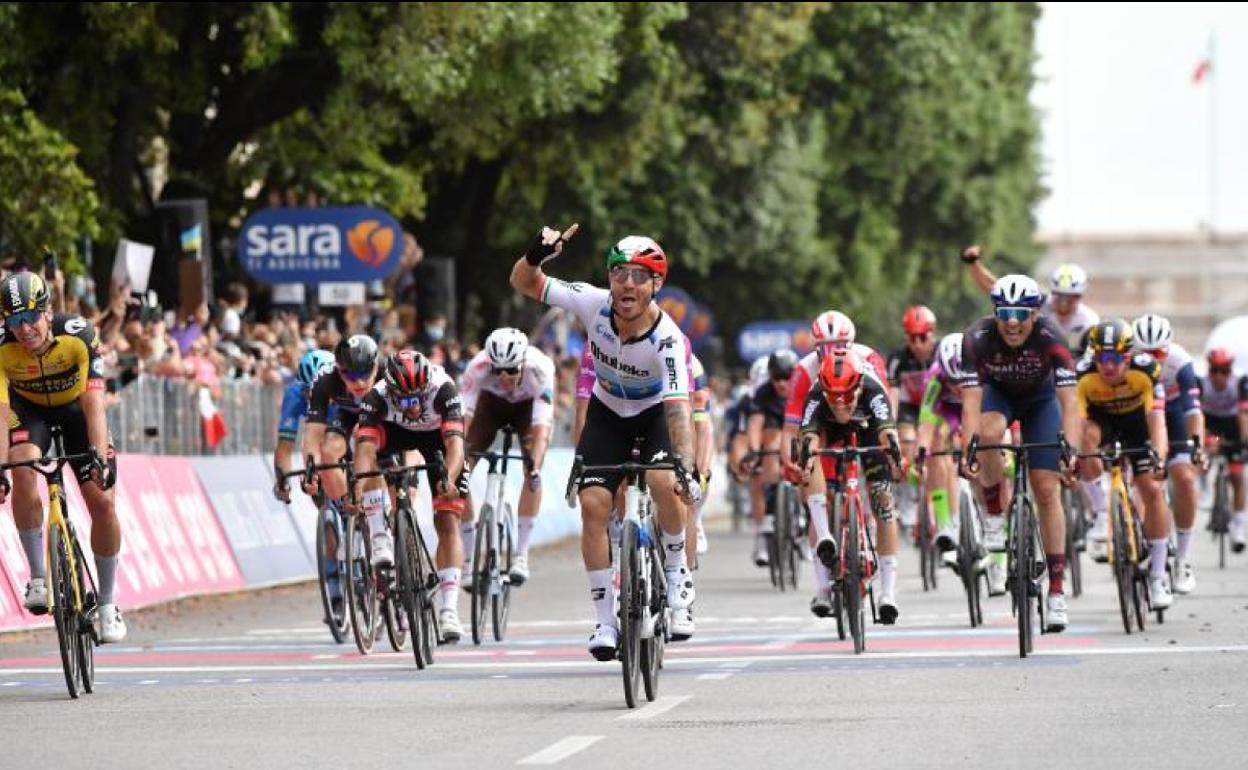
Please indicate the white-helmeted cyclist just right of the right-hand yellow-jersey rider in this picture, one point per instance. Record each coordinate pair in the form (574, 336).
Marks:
(1153, 335)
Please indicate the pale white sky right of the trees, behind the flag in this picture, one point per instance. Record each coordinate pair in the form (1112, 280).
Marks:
(1128, 133)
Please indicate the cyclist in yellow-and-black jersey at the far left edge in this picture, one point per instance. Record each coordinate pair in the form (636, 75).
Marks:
(52, 375)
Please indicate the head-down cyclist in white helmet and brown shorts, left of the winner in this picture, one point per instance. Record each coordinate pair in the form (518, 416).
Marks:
(511, 384)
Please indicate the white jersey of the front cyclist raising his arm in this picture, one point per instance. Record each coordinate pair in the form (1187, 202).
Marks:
(631, 375)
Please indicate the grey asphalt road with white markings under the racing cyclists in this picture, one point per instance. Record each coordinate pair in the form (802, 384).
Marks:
(255, 681)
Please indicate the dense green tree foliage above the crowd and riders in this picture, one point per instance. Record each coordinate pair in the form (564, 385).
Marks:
(791, 158)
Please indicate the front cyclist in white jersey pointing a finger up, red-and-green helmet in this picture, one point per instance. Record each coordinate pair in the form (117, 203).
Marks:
(641, 399)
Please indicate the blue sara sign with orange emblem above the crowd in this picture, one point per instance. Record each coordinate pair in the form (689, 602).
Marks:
(336, 244)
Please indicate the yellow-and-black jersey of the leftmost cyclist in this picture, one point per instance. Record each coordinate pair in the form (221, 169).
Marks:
(68, 369)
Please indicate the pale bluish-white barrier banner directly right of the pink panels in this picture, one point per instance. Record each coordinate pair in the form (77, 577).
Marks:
(259, 529)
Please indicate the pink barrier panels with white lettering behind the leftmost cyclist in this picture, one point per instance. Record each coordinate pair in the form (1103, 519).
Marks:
(173, 545)
